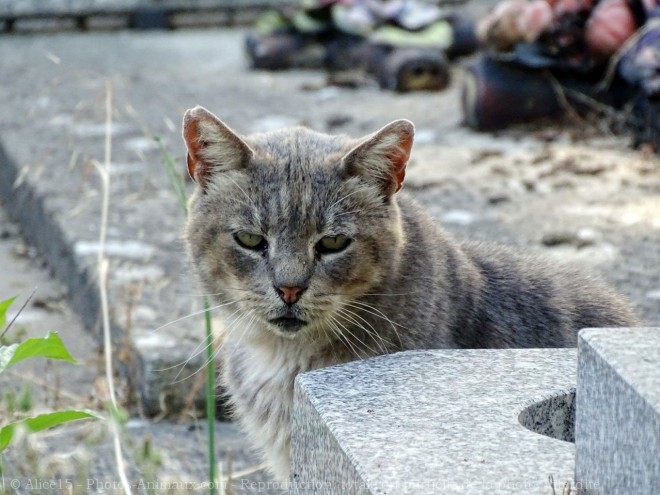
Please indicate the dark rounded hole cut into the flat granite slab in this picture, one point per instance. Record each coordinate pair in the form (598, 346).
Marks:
(553, 417)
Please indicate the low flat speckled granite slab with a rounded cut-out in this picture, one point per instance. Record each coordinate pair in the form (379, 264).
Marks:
(437, 421)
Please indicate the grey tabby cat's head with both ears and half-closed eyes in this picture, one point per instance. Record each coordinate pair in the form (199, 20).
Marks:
(290, 227)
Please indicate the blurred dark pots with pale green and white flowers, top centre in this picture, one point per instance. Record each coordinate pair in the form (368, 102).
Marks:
(403, 44)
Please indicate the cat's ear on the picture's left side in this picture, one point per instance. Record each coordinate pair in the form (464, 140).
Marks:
(212, 146)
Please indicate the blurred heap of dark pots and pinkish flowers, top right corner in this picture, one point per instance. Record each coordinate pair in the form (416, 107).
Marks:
(542, 56)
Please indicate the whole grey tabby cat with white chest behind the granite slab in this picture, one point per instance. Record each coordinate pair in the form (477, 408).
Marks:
(314, 259)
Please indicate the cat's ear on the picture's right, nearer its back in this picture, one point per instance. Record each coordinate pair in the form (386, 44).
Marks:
(383, 156)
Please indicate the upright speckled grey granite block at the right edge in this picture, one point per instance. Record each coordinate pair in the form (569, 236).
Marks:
(618, 411)
